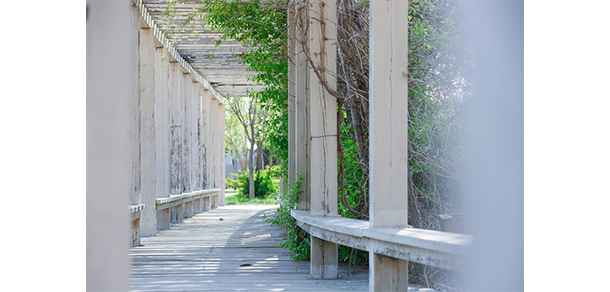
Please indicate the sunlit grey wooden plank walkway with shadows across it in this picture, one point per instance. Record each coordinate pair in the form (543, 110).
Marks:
(230, 248)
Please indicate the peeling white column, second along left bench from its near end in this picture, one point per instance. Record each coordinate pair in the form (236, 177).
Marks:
(175, 129)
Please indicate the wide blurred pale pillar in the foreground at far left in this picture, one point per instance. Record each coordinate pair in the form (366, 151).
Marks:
(109, 99)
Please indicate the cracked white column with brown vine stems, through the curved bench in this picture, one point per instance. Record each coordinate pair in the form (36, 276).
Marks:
(323, 133)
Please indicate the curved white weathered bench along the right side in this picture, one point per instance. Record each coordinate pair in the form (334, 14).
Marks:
(435, 248)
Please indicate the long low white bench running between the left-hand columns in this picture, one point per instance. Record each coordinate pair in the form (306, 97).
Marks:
(175, 208)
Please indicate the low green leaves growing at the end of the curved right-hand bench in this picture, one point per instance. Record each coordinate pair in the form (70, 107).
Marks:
(298, 241)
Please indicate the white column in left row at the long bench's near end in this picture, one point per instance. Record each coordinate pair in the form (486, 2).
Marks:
(162, 134)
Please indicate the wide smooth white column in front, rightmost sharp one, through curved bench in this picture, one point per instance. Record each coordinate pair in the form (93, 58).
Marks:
(388, 136)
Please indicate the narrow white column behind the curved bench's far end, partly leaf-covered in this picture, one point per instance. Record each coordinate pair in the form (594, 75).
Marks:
(301, 127)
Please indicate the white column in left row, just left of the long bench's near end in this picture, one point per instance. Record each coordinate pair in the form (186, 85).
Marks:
(147, 132)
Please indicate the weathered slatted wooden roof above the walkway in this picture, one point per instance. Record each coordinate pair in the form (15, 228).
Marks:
(195, 45)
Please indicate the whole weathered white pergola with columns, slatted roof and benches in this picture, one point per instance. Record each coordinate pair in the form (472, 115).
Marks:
(155, 129)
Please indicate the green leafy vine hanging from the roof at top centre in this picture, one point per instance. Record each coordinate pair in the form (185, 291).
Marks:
(261, 24)
